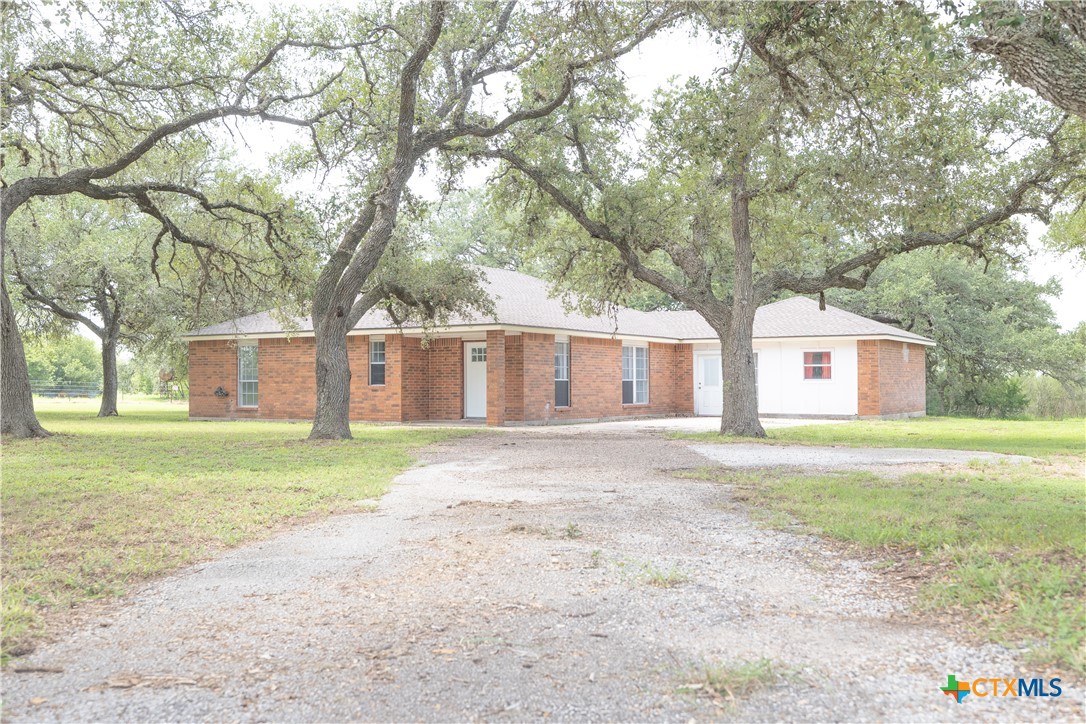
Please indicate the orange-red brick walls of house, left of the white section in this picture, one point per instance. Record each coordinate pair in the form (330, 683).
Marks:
(428, 384)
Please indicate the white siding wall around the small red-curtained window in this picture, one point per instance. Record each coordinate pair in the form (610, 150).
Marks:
(782, 389)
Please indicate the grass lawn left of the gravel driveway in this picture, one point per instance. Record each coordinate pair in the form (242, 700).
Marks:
(112, 502)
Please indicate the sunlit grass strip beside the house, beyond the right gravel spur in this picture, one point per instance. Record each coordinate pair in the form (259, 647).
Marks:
(1038, 439)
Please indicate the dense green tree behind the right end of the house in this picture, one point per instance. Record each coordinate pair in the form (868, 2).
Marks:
(992, 327)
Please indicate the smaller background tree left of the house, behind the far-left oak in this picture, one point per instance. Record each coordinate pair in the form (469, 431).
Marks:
(86, 262)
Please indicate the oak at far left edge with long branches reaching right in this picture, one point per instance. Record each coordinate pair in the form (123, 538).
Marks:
(89, 94)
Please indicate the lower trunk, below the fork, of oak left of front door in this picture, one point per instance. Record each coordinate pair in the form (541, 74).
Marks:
(333, 417)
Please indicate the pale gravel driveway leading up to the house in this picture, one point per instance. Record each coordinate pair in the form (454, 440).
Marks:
(521, 577)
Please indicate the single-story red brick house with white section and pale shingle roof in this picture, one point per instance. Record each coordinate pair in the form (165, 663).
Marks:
(536, 362)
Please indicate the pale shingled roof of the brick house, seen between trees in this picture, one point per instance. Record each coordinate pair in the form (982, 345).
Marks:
(526, 302)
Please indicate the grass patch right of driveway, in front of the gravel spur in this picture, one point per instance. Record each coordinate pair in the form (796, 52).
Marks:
(1001, 549)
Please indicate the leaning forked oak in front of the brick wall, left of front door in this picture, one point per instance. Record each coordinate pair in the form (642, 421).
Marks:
(424, 78)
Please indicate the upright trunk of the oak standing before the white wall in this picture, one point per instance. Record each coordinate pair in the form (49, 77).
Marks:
(741, 404)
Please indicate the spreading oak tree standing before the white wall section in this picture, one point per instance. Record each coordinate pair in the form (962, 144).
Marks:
(836, 139)
